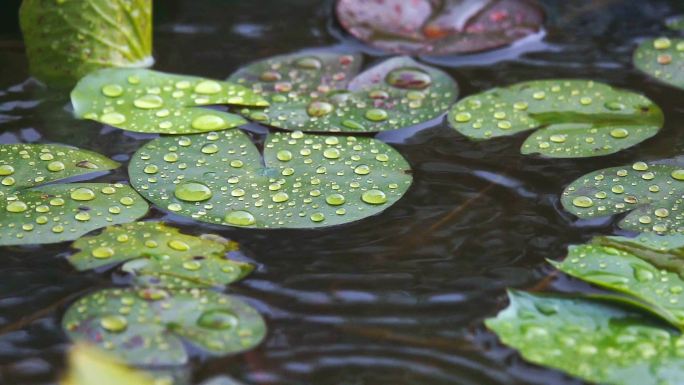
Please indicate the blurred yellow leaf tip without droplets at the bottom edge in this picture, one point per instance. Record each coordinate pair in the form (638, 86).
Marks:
(90, 366)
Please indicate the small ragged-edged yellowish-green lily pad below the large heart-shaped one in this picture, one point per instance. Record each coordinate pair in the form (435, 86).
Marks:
(160, 255)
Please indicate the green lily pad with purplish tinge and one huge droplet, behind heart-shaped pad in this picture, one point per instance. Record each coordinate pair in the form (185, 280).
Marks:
(317, 92)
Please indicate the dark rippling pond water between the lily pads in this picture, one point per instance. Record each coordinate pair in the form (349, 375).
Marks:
(395, 299)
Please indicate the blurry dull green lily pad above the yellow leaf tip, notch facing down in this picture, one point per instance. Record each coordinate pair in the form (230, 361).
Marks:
(147, 327)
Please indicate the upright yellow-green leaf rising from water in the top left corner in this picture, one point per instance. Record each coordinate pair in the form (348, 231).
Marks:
(67, 39)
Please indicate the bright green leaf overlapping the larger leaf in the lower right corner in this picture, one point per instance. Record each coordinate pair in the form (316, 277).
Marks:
(659, 290)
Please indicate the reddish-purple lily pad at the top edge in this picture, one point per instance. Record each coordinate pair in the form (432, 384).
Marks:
(439, 27)
